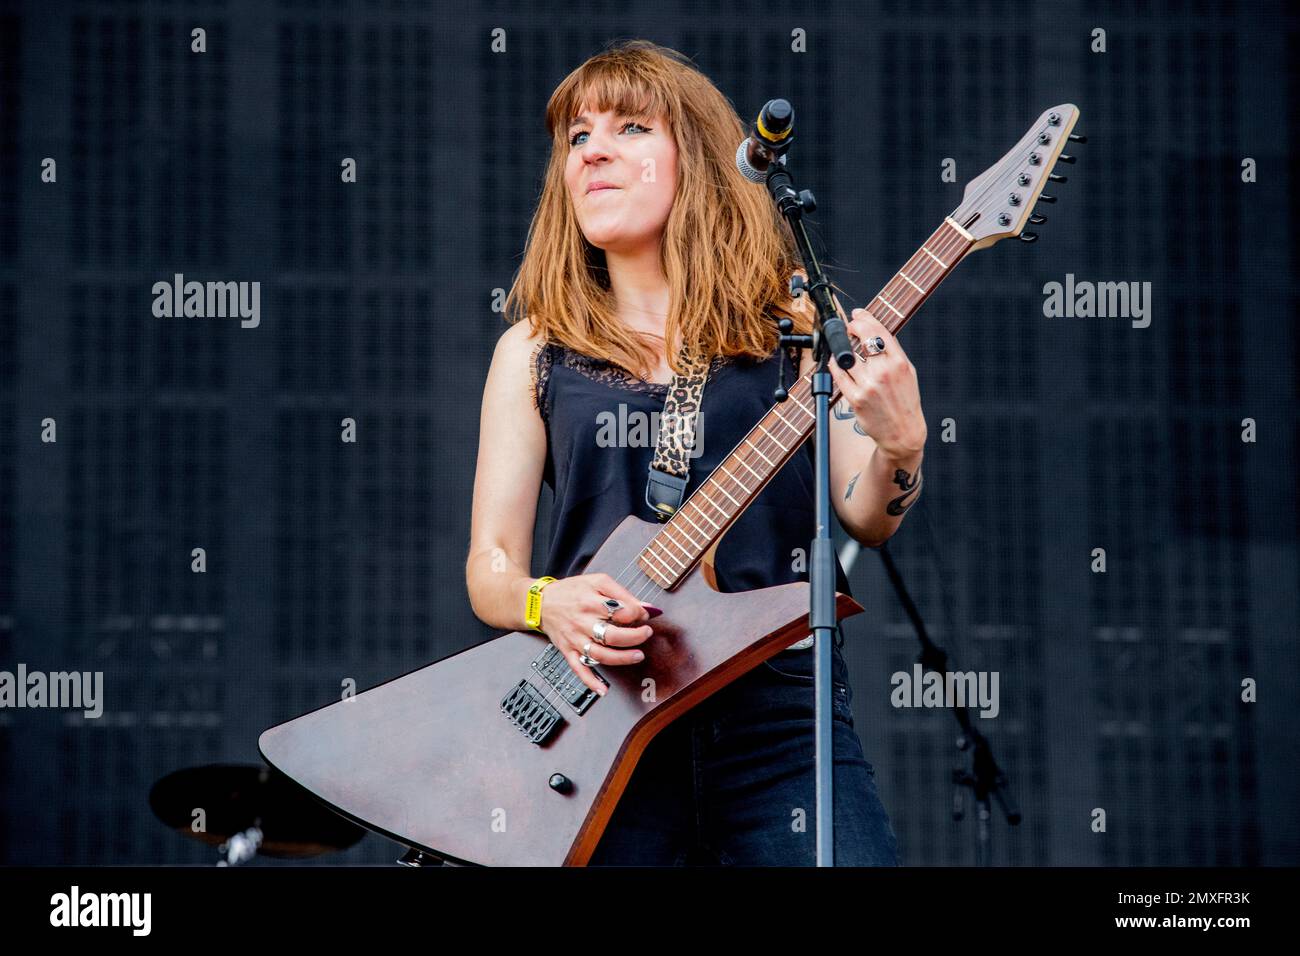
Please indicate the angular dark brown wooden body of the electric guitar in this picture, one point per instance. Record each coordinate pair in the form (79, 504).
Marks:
(432, 760)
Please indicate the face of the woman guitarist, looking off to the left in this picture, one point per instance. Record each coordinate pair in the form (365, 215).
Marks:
(639, 159)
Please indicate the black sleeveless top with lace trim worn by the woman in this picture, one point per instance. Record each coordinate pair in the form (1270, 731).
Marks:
(586, 403)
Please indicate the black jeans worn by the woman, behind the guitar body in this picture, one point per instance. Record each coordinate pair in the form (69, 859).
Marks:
(733, 782)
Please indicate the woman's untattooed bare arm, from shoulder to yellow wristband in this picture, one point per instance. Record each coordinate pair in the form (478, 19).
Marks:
(508, 483)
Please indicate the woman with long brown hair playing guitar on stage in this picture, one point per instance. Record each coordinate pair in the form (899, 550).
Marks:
(645, 236)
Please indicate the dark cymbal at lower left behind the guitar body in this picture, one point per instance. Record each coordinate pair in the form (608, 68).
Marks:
(237, 797)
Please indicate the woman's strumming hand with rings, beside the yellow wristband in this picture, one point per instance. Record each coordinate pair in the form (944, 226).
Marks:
(571, 608)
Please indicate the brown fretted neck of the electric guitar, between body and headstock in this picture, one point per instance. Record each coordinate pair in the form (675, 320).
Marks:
(717, 503)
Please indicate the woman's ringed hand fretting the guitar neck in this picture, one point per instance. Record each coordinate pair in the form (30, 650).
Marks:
(882, 391)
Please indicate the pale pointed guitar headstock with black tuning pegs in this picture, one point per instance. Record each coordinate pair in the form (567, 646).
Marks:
(1000, 202)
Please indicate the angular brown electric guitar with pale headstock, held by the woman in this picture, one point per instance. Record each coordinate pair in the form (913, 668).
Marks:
(500, 755)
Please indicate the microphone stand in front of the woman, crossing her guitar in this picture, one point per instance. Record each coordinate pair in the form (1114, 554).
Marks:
(830, 338)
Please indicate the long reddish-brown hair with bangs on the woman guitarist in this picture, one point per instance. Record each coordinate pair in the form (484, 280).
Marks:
(727, 253)
